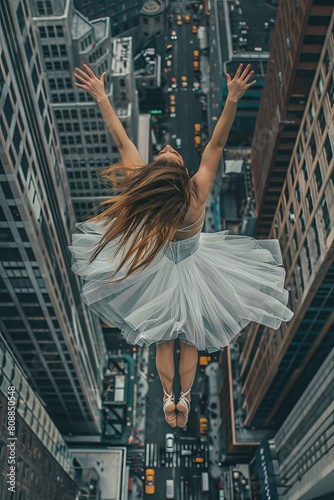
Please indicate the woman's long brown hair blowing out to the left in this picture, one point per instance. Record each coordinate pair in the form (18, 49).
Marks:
(153, 202)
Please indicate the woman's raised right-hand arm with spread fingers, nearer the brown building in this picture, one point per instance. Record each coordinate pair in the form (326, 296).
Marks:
(207, 171)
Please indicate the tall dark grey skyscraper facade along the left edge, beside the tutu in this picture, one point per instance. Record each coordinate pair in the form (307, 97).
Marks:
(58, 344)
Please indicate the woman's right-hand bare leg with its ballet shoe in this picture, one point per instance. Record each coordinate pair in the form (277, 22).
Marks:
(187, 370)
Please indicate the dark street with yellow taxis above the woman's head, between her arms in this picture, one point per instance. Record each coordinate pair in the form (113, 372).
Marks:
(188, 106)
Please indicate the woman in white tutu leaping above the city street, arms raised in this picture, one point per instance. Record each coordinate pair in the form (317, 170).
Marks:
(150, 271)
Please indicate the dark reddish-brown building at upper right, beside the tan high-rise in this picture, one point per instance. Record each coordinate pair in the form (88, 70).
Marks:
(301, 31)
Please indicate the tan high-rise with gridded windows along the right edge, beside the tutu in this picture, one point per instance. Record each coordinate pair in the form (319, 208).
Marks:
(276, 365)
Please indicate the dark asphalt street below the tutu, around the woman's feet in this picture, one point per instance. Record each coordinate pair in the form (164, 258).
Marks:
(186, 473)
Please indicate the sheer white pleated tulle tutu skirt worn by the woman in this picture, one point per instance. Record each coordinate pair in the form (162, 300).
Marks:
(203, 290)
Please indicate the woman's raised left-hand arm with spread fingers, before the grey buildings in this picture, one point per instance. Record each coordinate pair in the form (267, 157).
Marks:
(95, 87)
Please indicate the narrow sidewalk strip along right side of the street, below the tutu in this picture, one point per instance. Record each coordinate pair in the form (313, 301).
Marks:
(213, 372)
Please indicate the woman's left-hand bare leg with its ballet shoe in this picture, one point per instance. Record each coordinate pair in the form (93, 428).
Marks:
(164, 360)
